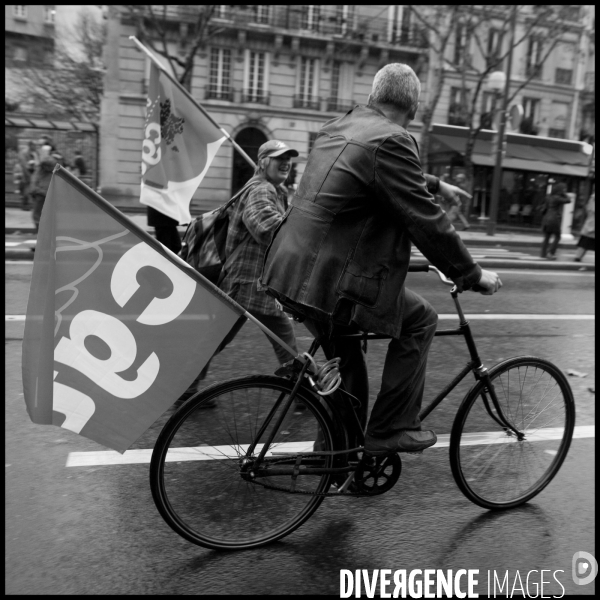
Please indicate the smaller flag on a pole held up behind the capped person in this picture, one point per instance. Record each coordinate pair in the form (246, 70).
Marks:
(180, 142)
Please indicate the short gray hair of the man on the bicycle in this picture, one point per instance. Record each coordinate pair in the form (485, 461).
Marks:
(396, 84)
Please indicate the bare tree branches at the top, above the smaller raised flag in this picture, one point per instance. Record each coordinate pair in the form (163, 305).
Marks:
(177, 32)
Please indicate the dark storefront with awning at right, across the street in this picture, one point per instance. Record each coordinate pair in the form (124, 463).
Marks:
(529, 168)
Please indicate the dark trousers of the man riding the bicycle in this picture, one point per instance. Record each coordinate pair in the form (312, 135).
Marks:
(399, 400)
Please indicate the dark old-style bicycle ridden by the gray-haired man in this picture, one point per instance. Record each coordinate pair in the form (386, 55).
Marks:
(252, 470)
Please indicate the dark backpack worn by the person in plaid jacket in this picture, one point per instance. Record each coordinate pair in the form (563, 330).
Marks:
(203, 244)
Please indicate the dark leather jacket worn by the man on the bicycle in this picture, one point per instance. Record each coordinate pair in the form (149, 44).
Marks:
(343, 248)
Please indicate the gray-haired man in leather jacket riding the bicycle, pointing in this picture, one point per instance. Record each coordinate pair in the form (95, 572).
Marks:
(341, 254)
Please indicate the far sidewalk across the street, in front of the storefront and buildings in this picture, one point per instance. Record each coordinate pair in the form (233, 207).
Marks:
(497, 251)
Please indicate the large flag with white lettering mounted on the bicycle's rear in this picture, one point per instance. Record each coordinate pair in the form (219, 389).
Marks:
(117, 326)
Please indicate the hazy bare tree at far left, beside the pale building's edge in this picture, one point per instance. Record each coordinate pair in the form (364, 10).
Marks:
(72, 86)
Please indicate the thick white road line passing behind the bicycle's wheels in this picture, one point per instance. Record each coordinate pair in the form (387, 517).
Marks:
(131, 457)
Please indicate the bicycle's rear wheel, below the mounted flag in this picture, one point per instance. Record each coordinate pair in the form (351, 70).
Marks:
(197, 463)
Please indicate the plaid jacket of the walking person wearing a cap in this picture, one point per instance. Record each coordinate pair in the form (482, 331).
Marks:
(253, 219)
